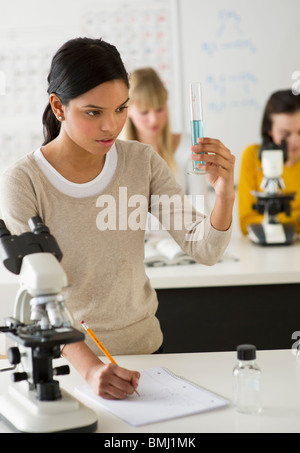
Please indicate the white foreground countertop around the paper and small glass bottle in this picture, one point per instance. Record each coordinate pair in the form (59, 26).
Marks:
(280, 394)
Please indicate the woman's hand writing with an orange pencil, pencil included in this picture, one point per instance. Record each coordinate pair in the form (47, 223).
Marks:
(117, 377)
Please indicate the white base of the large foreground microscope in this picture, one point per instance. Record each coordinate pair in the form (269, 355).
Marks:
(21, 410)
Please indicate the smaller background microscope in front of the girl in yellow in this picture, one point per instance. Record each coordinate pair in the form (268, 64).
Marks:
(272, 200)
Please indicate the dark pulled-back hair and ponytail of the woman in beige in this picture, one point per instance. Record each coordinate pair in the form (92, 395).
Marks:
(78, 66)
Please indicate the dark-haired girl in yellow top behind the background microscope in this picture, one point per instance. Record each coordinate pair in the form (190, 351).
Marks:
(281, 120)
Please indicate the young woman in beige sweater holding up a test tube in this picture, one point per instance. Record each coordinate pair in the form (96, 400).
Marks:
(91, 189)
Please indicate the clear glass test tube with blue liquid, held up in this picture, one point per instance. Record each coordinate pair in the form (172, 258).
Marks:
(196, 122)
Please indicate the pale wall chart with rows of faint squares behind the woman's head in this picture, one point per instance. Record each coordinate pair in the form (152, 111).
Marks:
(145, 35)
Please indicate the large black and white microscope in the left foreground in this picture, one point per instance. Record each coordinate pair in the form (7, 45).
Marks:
(41, 323)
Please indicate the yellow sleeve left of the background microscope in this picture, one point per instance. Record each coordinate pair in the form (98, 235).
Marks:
(250, 179)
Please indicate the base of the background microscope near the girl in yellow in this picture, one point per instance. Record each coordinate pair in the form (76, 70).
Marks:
(272, 234)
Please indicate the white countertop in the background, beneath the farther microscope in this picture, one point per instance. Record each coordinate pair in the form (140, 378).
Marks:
(244, 263)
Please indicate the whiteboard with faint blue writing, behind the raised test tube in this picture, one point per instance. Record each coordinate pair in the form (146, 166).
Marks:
(241, 51)
